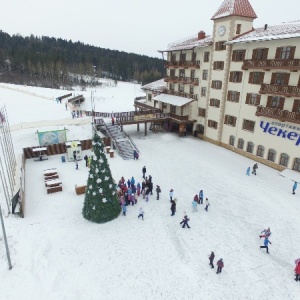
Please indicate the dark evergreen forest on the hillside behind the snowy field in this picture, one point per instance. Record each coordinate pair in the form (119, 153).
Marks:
(54, 62)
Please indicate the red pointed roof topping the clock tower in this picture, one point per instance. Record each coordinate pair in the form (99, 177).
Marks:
(235, 8)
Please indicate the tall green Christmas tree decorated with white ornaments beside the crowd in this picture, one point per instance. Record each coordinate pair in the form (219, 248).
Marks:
(101, 203)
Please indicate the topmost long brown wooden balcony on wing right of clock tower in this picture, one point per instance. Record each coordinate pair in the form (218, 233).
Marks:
(268, 64)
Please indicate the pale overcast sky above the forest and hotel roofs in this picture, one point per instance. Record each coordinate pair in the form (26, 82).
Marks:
(136, 26)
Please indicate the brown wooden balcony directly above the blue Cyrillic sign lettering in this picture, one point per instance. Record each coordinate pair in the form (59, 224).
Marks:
(278, 114)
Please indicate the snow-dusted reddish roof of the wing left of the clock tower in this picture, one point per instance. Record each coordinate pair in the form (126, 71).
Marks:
(189, 43)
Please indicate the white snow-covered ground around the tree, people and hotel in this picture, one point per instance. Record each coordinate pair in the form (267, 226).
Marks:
(57, 254)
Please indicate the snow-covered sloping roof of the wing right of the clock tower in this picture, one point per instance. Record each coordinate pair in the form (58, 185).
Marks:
(277, 32)
